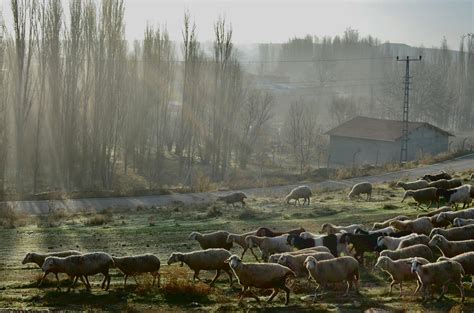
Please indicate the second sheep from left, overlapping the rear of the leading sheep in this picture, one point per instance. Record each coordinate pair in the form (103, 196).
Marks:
(80, 266)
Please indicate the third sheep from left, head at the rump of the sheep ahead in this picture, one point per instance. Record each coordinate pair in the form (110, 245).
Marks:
(138, 264)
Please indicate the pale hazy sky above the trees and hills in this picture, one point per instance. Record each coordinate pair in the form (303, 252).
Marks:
(414, 22)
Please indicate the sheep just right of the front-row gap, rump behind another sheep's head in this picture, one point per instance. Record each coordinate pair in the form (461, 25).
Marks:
(399, 271)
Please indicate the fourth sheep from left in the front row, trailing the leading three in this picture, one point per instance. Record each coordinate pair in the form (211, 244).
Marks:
(209, 260)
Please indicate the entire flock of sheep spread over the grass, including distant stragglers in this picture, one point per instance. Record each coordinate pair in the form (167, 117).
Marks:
(406, 248)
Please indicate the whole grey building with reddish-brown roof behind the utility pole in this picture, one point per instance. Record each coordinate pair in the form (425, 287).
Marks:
(365, 140)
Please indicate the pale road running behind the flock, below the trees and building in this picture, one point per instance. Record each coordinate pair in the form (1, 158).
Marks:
(40, 207)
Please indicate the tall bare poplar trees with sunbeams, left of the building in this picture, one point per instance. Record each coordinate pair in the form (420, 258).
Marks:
(79, 105)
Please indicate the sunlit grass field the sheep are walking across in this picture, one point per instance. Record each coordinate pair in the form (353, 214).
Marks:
(164, 230)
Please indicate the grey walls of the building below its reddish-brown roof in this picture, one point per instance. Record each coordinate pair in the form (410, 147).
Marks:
(343, 151)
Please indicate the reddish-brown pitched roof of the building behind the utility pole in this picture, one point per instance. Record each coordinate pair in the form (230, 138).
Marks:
(377, 129)
